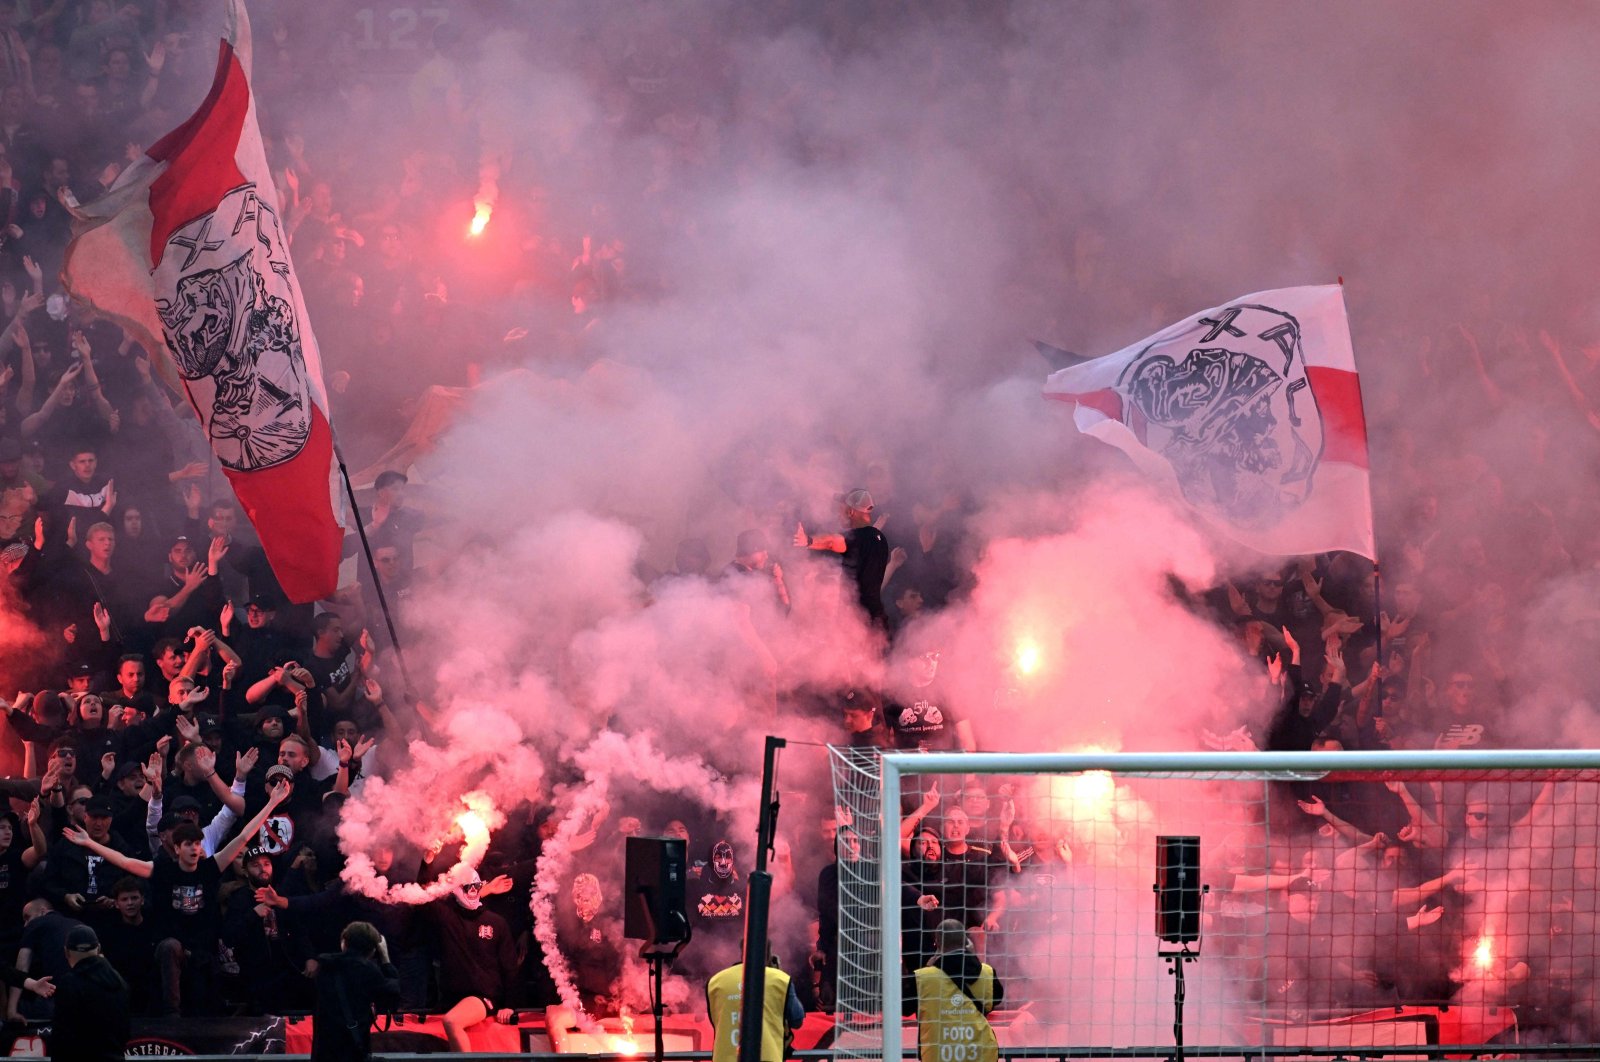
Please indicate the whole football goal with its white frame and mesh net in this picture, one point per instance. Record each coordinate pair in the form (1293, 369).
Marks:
(1310, 900)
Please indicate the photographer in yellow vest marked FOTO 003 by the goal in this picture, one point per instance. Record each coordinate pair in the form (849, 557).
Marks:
(954, 996)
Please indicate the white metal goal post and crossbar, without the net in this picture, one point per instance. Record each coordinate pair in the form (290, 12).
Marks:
(1266, 765)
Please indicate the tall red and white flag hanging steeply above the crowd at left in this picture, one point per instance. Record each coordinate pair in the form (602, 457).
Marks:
(190, 252)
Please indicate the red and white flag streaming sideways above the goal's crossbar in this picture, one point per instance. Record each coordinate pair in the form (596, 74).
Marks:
(1252, 412)
